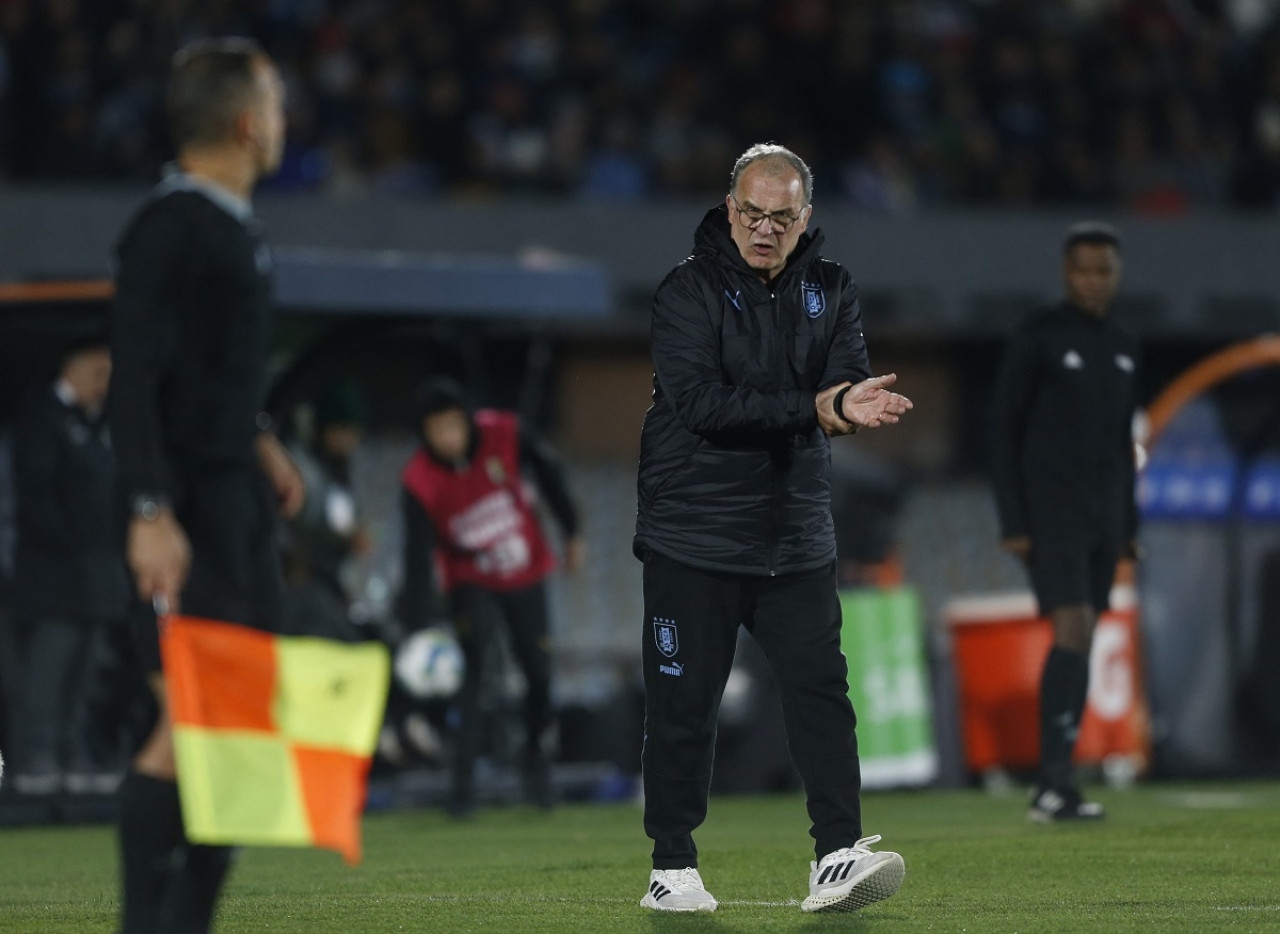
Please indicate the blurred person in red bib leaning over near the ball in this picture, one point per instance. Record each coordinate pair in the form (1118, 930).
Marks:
(470, 516)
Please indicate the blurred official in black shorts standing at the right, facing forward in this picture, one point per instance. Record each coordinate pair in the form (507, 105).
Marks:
(1063, 468)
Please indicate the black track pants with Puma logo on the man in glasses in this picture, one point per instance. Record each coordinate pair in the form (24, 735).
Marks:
(691, 633)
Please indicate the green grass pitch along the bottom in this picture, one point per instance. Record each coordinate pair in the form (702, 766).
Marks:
(1186, 858)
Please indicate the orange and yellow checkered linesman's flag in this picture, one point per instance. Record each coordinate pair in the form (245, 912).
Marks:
(273, 735)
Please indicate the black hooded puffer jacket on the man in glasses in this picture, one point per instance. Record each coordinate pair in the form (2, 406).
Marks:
(734, 469)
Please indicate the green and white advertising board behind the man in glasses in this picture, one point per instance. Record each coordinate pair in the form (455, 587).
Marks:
(884, 640)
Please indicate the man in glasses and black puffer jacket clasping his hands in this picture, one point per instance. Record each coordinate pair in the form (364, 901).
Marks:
(758, 360)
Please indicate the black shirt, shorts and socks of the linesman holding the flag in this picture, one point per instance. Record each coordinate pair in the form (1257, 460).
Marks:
(190, 331)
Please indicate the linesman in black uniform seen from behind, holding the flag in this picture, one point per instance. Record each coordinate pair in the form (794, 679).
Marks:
(198, 473)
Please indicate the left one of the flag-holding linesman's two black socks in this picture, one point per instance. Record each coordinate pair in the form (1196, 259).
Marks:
(150, 837)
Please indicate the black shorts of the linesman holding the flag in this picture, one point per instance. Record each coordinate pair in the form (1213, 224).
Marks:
(230, 519)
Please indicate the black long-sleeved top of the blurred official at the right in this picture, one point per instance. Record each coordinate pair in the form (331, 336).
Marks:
(1062, 437)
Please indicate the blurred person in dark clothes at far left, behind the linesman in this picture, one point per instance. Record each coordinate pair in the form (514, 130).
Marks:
(70, 565)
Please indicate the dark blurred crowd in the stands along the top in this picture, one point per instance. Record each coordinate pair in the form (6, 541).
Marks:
(1155, 106)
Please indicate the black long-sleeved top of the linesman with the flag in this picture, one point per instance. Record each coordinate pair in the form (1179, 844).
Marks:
(190, 332)
